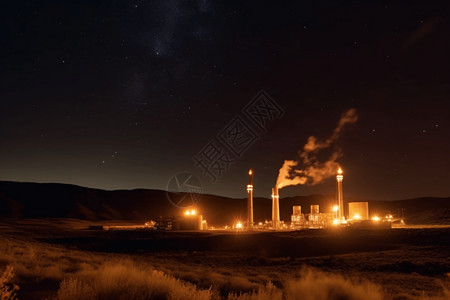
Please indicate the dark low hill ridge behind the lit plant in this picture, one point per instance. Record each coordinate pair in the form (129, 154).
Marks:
(54, 200)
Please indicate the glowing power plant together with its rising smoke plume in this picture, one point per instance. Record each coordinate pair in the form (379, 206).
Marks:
(338, 213)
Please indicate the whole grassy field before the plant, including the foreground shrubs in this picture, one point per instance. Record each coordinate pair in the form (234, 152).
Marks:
(60, 259)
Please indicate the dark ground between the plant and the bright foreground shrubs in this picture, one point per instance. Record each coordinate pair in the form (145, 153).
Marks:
(402, 262)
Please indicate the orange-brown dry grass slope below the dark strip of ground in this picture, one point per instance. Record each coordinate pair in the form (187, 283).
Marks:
(45, 271)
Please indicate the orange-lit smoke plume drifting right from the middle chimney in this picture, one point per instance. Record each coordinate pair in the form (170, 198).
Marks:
(308, 169)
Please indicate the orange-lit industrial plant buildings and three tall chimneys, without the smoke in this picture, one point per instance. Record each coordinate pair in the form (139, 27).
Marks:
(333, 217)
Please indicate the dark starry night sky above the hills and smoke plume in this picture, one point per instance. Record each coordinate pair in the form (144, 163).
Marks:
(125, 94)
